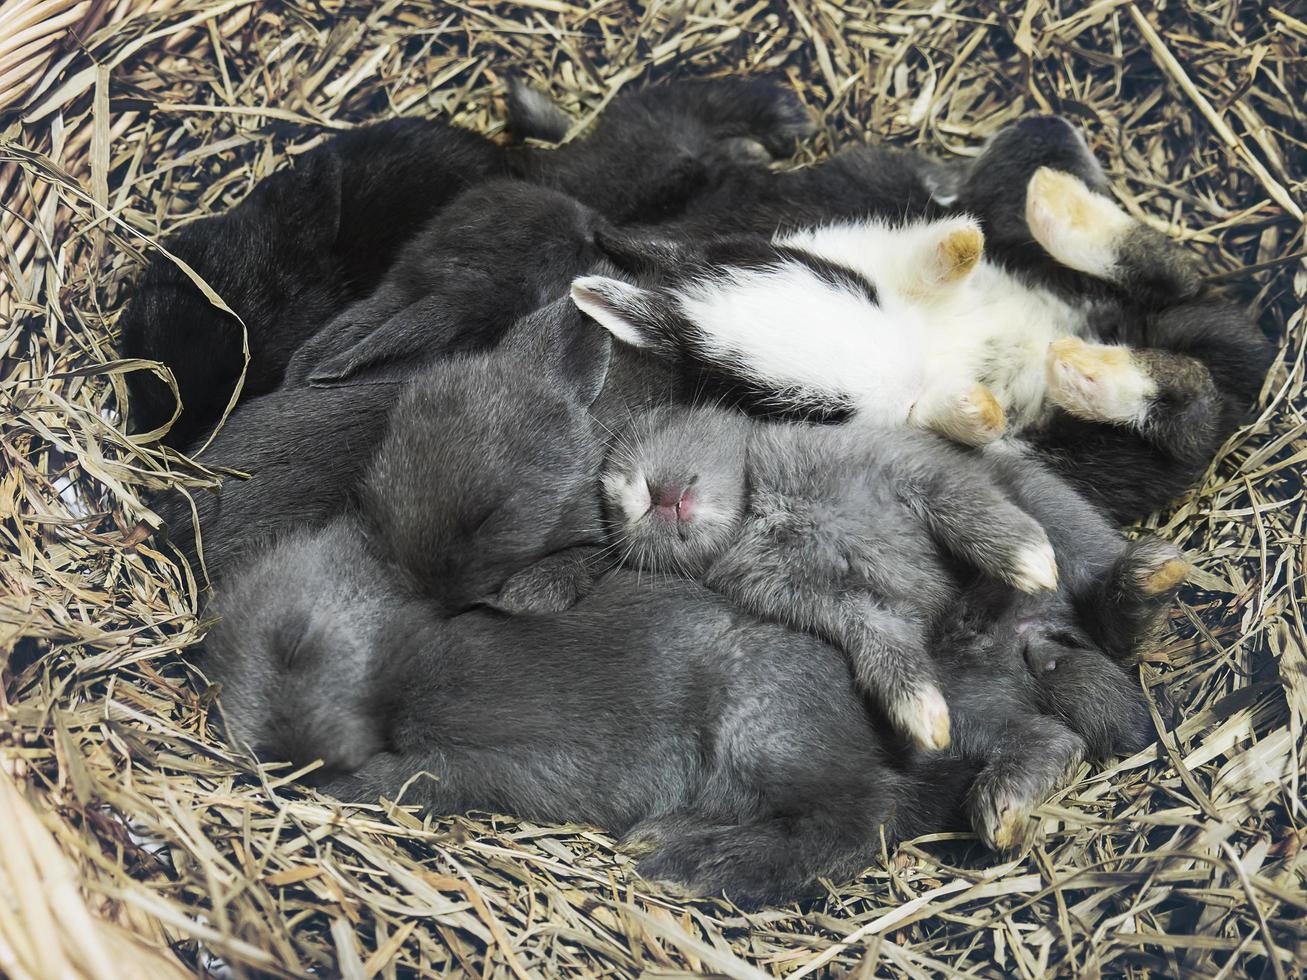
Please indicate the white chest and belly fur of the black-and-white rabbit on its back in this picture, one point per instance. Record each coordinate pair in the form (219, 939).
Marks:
(794, 329)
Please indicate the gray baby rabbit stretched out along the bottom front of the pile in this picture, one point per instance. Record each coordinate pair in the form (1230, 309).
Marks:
(733, 755)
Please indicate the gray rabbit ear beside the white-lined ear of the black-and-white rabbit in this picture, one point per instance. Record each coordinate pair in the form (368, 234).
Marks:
(563, 343)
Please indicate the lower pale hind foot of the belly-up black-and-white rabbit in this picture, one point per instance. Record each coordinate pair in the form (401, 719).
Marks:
(1099, 382)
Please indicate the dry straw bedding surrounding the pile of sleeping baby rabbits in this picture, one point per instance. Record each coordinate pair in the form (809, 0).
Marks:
(134, 843)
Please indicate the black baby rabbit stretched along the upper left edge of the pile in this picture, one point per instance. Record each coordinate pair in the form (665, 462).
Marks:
(312, 240)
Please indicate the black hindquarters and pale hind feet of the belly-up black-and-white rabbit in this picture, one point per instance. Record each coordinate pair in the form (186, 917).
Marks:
(1198, 359)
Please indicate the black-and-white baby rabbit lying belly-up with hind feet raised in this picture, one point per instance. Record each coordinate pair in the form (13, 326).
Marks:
(1121, 370)
